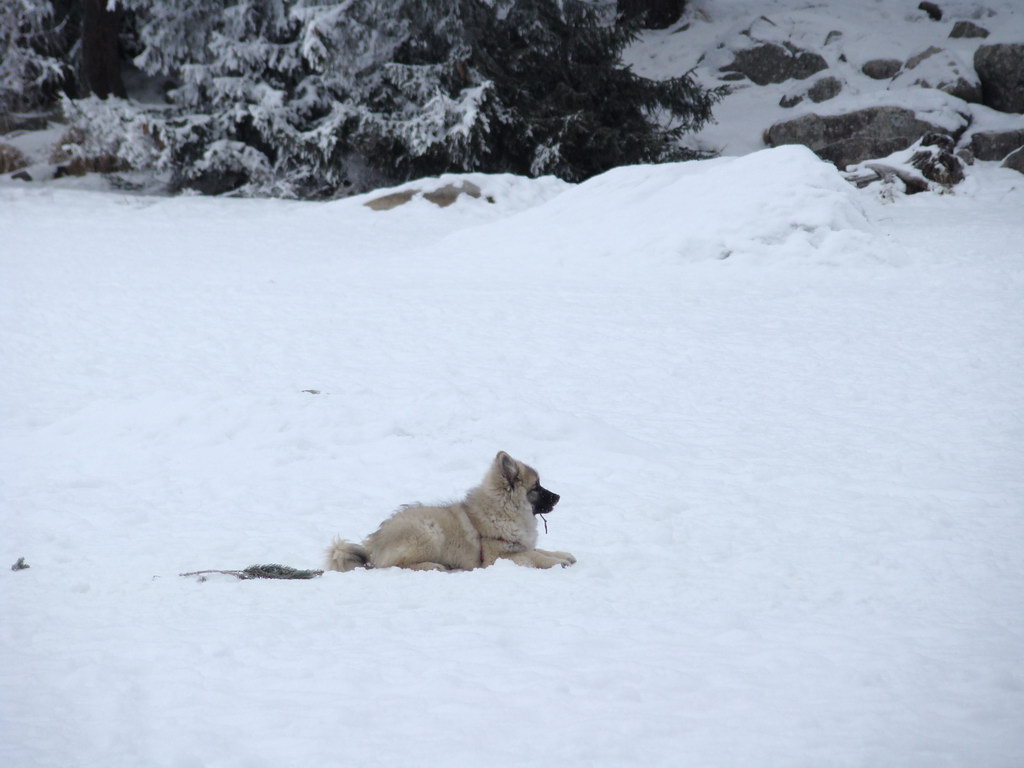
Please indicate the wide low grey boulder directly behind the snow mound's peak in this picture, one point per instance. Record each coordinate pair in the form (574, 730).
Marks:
(845, 140)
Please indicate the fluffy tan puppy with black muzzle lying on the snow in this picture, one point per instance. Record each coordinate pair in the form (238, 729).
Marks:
(497, 520)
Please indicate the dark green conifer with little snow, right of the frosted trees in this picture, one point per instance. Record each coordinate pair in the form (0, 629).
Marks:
(564, 102)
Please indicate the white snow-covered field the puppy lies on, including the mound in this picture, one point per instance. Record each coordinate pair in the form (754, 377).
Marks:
(787, 421)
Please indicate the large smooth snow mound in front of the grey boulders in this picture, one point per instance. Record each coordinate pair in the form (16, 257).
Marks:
(777, 204)
